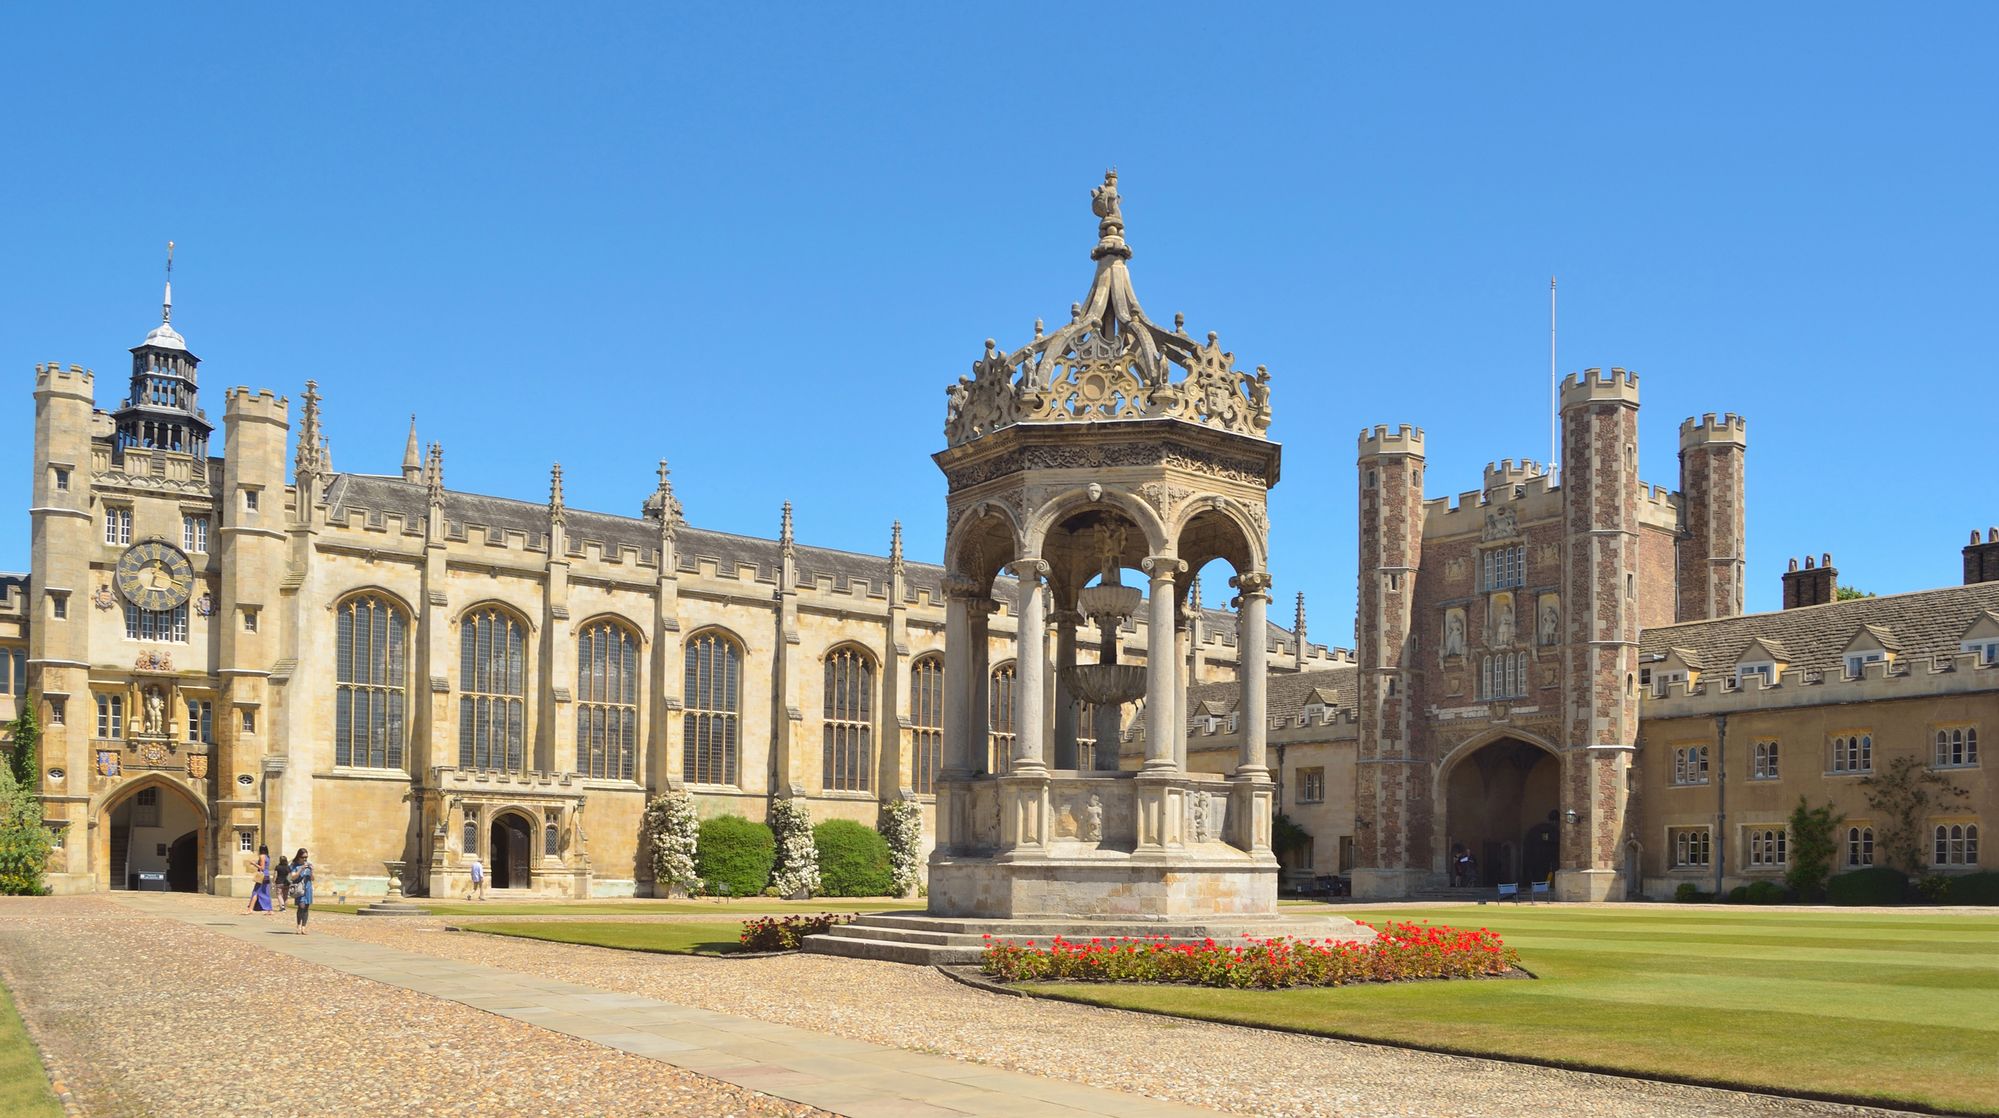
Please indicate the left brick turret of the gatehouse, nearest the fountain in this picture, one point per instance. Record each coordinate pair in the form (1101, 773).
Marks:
(1392, 785)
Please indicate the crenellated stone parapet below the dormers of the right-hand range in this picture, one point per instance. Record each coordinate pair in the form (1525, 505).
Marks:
(1912, 677)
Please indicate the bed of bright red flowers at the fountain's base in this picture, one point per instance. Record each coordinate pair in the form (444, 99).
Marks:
(1396, 953)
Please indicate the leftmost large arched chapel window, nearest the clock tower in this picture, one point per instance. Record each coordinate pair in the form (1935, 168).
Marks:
(371, 683)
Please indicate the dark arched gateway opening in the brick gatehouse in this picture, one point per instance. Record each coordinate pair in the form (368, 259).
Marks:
(1504, 805)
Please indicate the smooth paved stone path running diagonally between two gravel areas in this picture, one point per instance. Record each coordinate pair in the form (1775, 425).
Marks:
(847, 1077)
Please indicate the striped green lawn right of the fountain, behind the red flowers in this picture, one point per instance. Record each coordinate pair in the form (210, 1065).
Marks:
(1882, 1007)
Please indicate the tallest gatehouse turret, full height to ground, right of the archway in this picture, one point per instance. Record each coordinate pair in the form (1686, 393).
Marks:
(1600, 507)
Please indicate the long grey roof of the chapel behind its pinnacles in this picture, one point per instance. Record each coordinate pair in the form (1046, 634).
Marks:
(395, 497)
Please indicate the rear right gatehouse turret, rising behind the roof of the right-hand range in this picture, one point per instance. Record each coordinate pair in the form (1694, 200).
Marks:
(1712, 517)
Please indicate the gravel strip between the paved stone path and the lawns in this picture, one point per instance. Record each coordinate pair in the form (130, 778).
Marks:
(1194, 1063)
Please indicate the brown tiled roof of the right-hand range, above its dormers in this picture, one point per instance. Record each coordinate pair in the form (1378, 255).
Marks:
(1918, 625)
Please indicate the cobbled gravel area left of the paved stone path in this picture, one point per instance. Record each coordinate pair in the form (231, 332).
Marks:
(161, 1019)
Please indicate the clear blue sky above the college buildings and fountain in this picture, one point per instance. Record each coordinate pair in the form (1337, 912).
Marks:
(763, 241)
